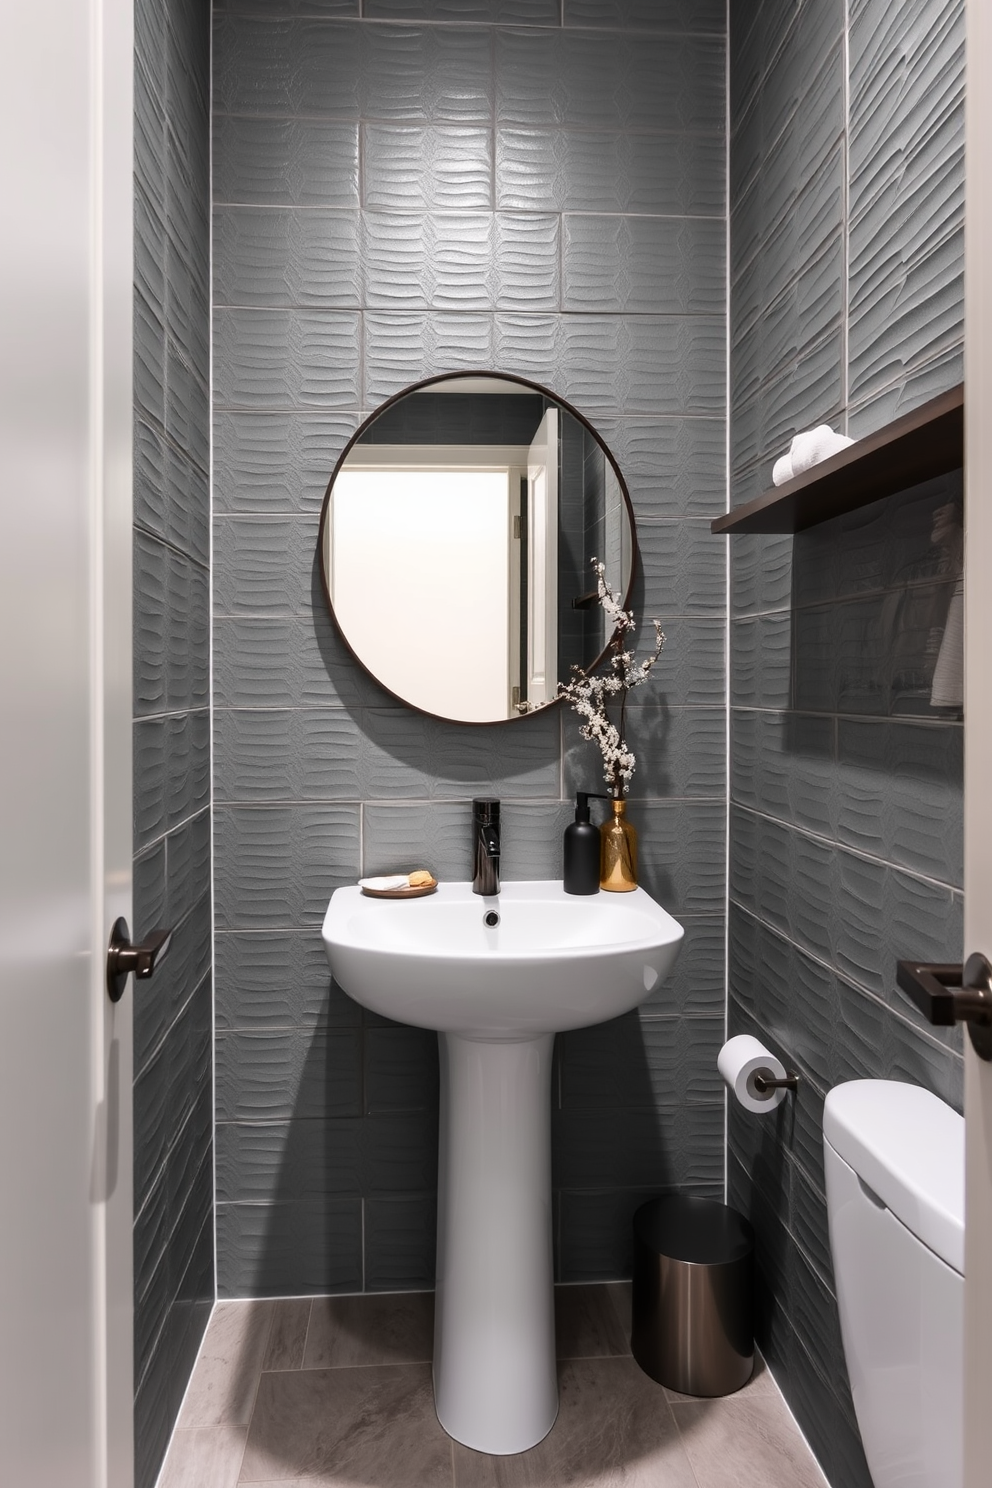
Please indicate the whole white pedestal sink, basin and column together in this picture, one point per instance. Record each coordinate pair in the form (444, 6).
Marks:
(497, 996)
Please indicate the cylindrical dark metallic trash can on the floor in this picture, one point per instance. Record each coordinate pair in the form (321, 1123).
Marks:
(694, 1295)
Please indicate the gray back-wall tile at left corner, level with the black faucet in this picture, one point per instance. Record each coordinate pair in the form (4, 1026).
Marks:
(277, 867)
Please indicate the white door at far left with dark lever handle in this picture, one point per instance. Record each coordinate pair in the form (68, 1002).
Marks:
(66, 272)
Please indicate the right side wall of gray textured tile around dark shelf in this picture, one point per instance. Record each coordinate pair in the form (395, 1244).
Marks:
(847, 810)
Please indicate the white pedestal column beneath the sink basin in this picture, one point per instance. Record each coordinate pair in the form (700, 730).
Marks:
(496, 1385)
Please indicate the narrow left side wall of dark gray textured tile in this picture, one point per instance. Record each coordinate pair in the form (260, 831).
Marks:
(173, 1149)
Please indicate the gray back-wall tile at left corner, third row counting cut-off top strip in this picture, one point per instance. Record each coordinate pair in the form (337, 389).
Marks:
(292, 163)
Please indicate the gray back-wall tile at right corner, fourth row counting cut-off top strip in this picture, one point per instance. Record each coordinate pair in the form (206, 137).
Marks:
(643, 266)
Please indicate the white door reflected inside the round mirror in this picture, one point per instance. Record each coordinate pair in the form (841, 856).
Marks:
(542, 563)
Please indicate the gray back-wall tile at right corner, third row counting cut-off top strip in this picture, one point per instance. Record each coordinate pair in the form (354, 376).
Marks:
(603, 170)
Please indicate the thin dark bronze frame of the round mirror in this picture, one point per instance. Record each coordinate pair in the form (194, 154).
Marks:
(356, 438)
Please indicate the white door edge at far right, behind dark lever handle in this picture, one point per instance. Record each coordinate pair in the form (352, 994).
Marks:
(979, 736)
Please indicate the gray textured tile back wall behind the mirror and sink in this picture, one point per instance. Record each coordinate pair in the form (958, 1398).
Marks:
(425, 191)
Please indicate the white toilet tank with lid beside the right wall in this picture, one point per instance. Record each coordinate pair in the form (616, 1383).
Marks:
(895, 1160)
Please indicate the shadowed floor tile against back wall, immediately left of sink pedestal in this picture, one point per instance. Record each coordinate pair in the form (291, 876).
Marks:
(381, 1330)
